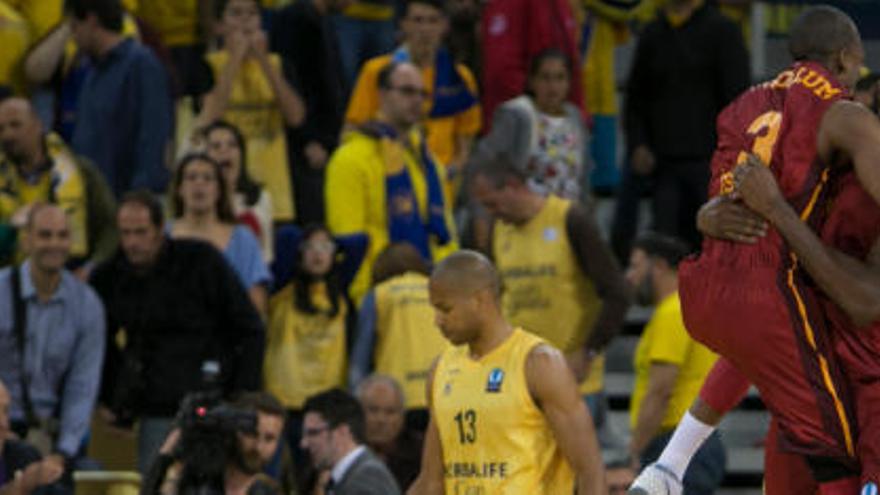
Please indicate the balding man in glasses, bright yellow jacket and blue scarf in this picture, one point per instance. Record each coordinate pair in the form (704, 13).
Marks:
(383, 182)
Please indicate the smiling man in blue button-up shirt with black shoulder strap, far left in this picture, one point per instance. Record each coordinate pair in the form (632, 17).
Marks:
(64, 335)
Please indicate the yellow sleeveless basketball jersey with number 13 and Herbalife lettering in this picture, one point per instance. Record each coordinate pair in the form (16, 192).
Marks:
(493, 436)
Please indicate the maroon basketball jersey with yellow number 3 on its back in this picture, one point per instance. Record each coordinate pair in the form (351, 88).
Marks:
(778, 121)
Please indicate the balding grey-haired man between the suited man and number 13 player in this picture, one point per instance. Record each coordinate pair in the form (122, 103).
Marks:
(388, 435)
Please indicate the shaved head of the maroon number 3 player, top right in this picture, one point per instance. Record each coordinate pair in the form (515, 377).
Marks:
(820, 32)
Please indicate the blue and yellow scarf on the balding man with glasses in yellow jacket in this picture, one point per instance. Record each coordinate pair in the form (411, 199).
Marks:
(405, 222)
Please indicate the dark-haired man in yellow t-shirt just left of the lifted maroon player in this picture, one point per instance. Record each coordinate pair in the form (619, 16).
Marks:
(670, 366)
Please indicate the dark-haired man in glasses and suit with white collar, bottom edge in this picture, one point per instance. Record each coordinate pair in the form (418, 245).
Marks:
(333, 433)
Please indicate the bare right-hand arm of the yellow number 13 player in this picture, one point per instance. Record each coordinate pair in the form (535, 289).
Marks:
(554, 390)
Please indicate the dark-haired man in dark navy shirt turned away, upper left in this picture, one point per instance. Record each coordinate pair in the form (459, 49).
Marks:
(125, 117)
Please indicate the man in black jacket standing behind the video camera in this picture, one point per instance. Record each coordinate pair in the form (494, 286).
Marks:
(178, 321)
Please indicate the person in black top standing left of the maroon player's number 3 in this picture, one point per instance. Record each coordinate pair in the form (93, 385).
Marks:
(689, 63)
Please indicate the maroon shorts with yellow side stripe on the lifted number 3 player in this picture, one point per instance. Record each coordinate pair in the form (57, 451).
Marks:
(771, 328)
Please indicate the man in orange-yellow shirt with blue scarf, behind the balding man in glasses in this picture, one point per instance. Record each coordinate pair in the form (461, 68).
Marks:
(452, 111)
